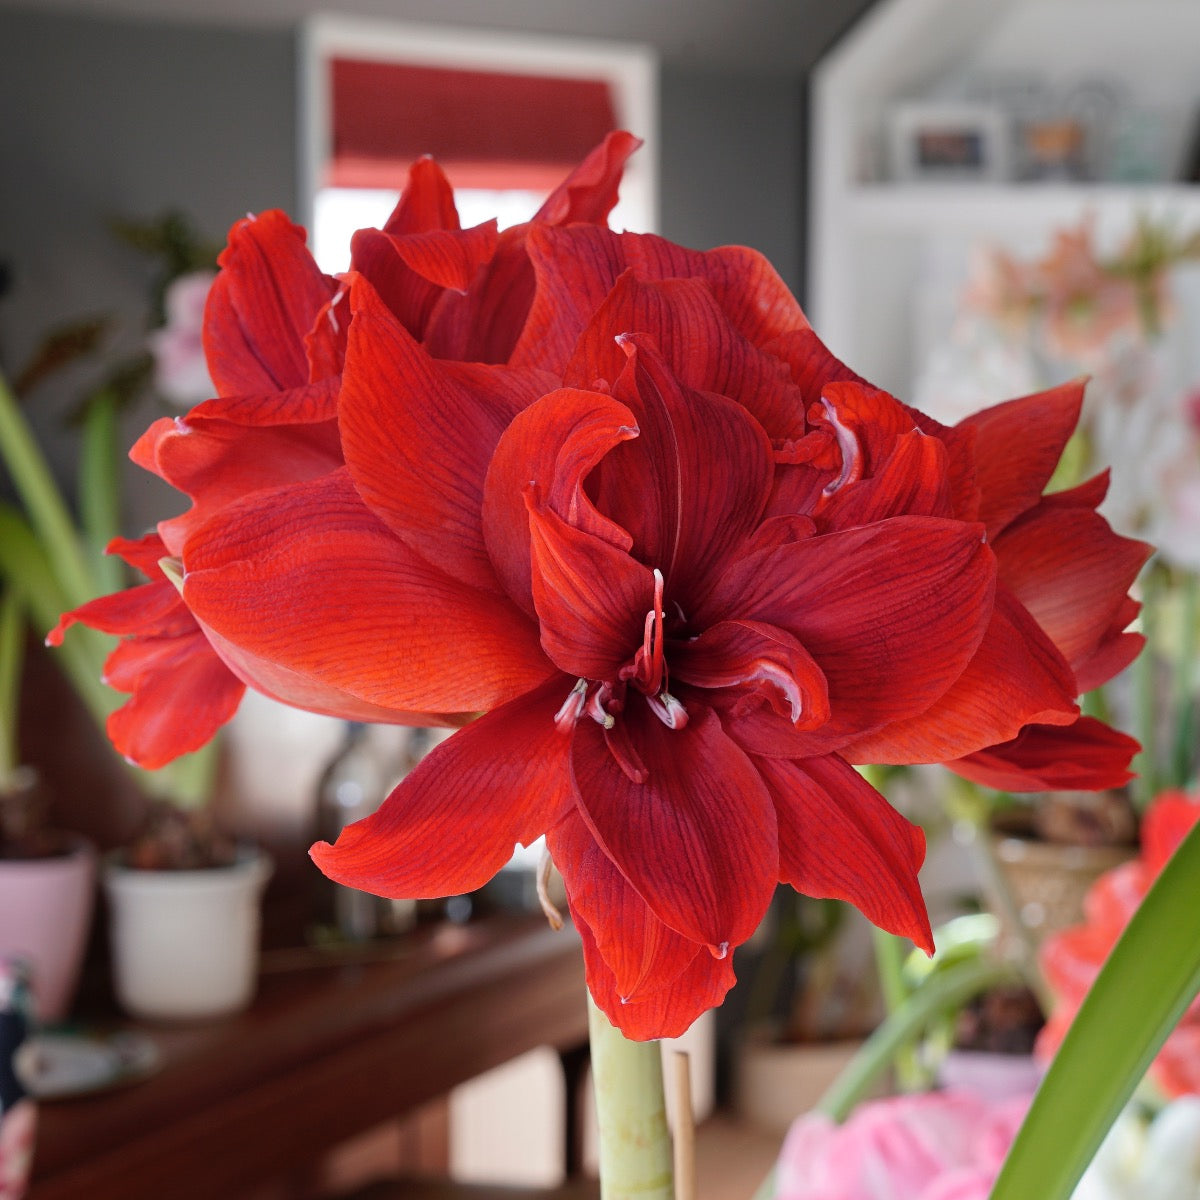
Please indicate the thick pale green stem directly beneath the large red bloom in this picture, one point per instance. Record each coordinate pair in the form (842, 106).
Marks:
(635, 1145)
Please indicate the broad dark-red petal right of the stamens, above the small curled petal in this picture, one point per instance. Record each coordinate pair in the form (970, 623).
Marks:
(892, 614)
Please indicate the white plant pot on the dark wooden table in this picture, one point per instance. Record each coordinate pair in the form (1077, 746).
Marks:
(185, 944)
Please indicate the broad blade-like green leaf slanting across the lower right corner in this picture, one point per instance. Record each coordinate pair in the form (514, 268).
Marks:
(1141, 994)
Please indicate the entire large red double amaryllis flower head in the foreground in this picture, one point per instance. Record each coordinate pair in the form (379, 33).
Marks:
(617, 497)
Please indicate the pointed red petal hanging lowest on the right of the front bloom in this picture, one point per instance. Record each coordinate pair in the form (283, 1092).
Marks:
(839, 838)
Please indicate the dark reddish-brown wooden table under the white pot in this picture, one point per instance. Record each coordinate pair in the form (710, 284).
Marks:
(331, 1048)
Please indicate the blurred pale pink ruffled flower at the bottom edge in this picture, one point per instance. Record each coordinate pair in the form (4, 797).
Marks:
(934, 1147)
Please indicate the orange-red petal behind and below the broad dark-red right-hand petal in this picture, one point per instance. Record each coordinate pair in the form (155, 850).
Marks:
(1016, 679)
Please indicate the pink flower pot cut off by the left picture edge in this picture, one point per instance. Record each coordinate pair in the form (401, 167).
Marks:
(46, 909)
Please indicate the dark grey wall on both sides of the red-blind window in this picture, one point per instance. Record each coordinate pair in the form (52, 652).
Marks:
(106, 117)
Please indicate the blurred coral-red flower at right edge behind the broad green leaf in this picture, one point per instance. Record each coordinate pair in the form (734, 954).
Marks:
(1072, 961)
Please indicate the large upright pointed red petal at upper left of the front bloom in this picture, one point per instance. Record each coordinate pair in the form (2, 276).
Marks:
(397, 403)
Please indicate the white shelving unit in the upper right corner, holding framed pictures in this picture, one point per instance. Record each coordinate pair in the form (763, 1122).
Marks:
(884, 257)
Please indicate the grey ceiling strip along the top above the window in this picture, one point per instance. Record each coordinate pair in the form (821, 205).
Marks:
(755, 37)
